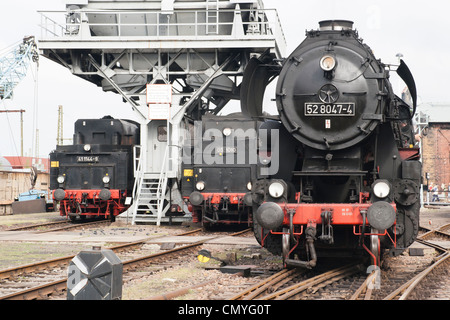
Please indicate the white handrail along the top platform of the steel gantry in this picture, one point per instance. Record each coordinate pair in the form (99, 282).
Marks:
(74, 19)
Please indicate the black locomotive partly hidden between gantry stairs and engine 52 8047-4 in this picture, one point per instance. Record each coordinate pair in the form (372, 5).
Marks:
(218, 170)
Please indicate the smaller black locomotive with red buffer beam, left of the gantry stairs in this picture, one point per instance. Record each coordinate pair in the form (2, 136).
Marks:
(95, 176)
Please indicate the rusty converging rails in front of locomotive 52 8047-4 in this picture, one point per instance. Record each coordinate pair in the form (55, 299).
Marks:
(274, 287)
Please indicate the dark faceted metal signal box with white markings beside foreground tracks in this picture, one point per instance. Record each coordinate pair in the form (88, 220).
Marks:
(95, 275)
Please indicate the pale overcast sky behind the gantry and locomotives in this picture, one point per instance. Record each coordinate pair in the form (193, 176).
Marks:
(417, 29)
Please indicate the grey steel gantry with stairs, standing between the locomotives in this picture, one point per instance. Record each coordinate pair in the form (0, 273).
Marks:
(199, 47)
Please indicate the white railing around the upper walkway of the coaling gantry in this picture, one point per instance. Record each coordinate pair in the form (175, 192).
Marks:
(158, 24)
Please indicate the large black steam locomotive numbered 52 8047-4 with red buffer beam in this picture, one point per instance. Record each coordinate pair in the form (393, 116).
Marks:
(352, 184)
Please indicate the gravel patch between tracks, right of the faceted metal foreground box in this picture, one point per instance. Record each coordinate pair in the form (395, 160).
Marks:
(190, 272)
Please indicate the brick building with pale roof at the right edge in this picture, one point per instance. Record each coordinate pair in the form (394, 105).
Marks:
(436, 145)
